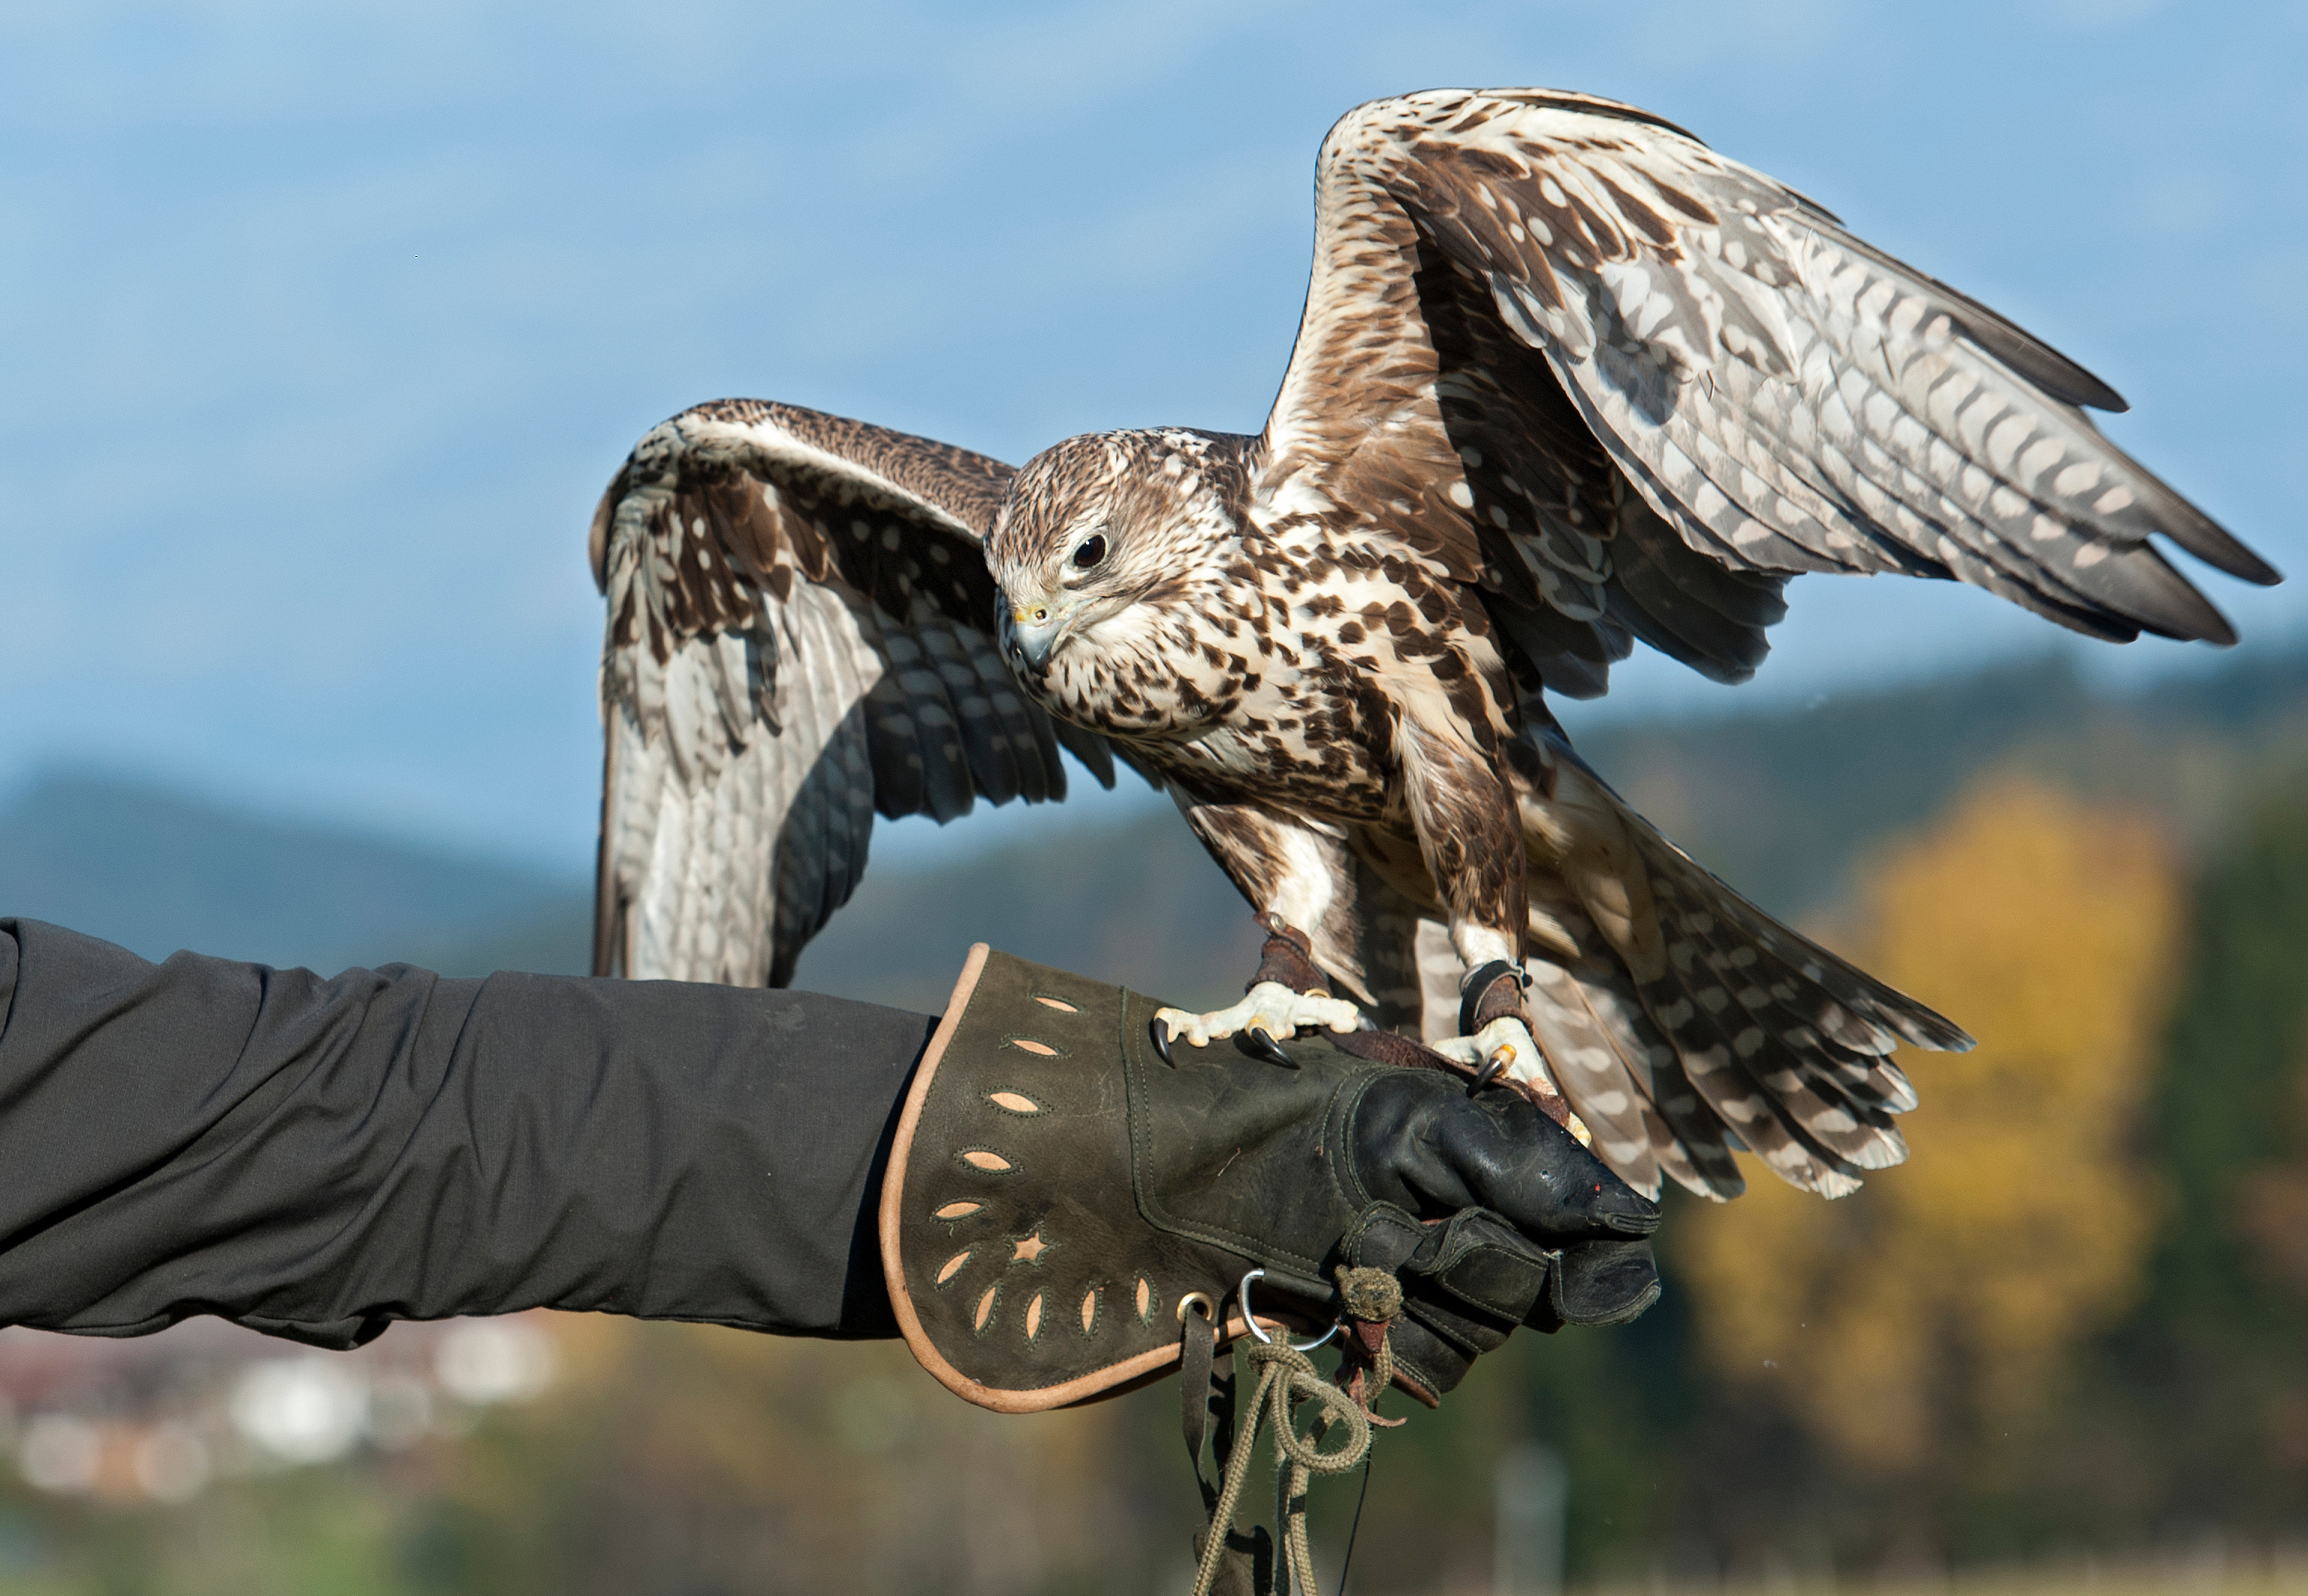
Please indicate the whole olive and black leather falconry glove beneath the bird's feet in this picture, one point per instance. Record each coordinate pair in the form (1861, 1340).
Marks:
(1063, 1200)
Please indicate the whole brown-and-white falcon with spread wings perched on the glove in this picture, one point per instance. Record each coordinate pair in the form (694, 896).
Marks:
(1566, 382)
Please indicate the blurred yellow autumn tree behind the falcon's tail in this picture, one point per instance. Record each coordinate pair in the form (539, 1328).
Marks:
(1947, 1290)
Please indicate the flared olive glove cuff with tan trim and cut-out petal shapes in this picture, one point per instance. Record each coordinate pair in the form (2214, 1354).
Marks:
(1019, 1279)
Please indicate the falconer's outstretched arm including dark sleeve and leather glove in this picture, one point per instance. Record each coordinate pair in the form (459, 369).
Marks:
(322, 1157)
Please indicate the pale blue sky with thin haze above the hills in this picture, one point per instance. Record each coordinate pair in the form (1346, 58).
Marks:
(327, 324)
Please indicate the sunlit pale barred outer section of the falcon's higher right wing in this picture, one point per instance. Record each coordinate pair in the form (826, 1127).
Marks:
(1781, 393)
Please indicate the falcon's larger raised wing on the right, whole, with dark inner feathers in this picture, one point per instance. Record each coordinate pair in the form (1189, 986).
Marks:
(1633, 386)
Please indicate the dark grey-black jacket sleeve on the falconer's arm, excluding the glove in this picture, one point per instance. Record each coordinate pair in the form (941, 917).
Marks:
(320, 1157)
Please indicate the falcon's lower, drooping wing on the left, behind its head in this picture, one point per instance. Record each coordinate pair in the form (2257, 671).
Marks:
(800, 638)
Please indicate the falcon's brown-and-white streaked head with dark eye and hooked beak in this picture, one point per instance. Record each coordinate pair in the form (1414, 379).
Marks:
(1095, 541)
